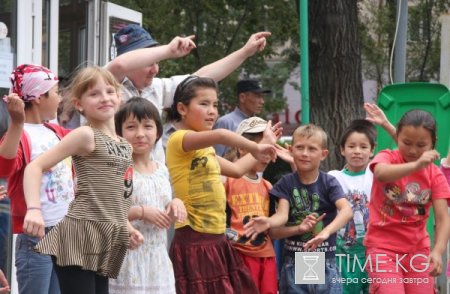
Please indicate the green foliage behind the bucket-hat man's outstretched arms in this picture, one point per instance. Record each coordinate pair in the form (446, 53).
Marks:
(222, 27)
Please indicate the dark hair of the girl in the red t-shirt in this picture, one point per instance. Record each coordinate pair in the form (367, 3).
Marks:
(419, 118)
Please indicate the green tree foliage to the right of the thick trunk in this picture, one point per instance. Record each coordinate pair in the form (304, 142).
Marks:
(376, 31)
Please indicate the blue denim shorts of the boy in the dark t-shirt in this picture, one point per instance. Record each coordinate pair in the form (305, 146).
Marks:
(287, 279)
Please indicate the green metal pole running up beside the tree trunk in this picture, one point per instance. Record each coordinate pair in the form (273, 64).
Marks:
(304, 60)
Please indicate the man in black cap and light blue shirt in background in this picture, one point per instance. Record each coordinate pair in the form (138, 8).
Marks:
(250, 95)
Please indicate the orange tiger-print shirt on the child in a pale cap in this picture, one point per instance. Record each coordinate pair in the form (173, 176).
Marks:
(247, 198)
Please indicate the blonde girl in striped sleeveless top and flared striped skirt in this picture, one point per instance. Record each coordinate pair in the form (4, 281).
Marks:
(89, 244)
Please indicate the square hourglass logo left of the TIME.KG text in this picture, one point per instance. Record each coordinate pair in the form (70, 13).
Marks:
(310, 268)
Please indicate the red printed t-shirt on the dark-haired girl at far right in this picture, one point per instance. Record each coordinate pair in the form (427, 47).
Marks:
(398, 210)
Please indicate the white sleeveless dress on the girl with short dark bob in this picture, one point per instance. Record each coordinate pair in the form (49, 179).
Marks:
(148, 269)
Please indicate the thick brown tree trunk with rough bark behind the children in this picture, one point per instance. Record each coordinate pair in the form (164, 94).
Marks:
(336, 95)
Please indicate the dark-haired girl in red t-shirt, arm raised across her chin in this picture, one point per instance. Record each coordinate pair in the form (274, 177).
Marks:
(398, 245)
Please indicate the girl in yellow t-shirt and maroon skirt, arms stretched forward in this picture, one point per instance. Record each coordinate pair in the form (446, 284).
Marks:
(203, 260)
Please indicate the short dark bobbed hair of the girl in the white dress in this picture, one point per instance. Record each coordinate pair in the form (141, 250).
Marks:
(141, 109)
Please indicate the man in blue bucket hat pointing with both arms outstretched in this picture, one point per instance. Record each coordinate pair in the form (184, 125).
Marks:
(136, 67)
